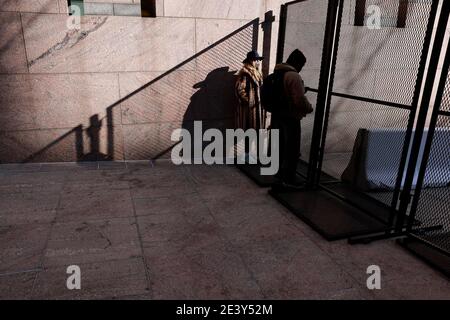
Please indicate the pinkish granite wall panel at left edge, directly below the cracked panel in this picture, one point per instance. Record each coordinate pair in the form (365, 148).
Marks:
(31, 102)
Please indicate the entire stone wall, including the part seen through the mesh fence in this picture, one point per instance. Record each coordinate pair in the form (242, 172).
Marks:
(57, 86)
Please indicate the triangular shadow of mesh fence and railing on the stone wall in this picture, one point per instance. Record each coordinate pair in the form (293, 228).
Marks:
(139, 125)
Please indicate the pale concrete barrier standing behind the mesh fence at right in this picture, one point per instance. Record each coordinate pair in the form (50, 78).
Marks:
(376, 158)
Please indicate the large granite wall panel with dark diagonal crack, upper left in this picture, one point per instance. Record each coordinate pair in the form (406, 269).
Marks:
(106, 43)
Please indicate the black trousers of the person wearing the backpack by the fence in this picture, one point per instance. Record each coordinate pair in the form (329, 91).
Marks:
(289, 145)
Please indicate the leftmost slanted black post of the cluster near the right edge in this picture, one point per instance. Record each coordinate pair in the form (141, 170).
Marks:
(414, 106)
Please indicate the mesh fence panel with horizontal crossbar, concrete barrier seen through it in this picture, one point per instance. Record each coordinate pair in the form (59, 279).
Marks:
(373, 100)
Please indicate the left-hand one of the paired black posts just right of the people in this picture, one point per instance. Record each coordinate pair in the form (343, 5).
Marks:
(322, 94)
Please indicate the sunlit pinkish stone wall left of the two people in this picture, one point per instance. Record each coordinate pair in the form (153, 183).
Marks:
(59, 88)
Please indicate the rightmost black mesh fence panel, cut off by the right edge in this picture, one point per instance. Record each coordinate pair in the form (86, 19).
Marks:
(429, 216)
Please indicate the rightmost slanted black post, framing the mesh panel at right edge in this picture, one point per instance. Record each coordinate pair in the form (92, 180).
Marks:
(430, 137)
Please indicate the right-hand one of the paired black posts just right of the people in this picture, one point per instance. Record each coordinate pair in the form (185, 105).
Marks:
(335, 48)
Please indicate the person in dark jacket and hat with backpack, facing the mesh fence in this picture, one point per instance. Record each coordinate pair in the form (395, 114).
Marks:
(287, 119)
